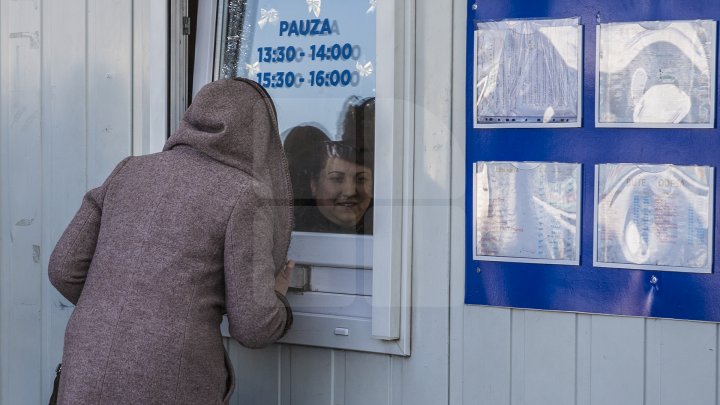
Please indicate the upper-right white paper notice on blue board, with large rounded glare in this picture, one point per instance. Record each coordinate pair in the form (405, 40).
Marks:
(656, 72)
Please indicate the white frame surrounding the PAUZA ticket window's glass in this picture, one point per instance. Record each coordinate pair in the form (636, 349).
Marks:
(380, 323)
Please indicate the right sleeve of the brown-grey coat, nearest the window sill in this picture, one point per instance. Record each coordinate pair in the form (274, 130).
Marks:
(257, 315)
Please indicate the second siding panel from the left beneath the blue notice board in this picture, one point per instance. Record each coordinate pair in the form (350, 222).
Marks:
(549, 358)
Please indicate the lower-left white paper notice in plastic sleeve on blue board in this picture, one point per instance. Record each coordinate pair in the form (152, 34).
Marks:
(527, 212)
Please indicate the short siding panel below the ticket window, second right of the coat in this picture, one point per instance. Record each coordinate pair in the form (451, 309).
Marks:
(311, 378)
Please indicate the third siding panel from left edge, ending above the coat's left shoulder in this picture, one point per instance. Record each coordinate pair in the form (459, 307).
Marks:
(109, 86)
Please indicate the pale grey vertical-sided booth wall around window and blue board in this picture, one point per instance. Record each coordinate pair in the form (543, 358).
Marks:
(69, 101)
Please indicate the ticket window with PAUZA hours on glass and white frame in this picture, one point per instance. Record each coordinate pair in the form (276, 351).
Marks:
(339, 97)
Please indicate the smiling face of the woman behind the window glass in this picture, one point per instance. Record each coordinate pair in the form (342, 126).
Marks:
(343, 191)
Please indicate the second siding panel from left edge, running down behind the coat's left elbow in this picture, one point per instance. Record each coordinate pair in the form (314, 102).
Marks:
(63, 151)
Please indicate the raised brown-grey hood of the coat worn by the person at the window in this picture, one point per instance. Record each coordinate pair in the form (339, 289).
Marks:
(234, 122)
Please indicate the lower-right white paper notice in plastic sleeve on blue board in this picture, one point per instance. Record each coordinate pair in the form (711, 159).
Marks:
(655, 217)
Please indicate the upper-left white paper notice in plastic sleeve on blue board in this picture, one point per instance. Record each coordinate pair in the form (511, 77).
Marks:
(527, 72)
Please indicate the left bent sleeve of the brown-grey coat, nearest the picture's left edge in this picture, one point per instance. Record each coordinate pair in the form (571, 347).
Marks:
(70, 260)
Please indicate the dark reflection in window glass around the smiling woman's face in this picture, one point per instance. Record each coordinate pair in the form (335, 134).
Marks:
(337, 176)
